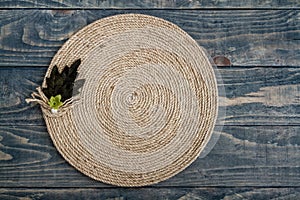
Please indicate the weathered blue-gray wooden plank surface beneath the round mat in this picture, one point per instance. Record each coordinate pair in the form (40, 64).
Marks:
(258, 153)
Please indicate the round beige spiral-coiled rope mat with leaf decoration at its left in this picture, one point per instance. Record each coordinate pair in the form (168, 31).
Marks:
(148, 104)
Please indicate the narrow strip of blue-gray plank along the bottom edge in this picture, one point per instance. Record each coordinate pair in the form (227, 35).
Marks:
(154, 193)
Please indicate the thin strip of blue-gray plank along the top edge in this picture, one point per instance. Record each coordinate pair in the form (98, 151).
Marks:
(148, 4)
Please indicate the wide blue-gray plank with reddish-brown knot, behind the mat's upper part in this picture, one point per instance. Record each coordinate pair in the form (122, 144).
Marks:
(246, 37)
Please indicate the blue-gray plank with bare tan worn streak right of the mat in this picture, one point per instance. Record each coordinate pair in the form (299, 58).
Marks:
(254, 96)
